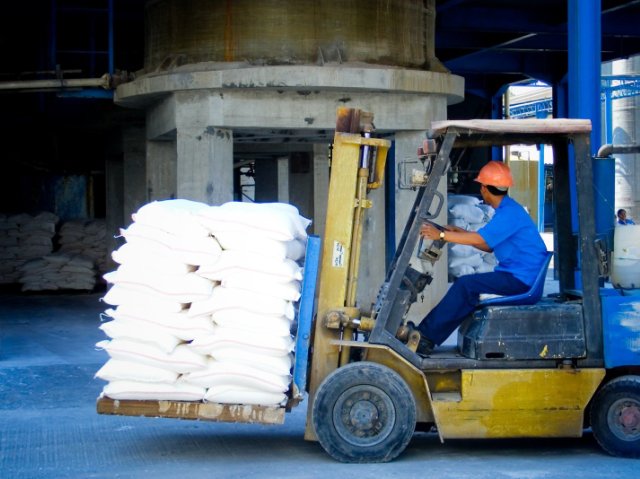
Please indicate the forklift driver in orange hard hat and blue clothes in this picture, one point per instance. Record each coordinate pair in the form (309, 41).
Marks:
(511, 235)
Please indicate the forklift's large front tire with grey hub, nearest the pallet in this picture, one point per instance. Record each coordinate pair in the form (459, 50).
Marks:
(364, 412)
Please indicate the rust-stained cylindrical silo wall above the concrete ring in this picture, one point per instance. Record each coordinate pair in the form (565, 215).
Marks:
(289, 32)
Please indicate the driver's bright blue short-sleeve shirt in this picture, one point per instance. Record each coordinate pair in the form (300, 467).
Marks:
(515, 241)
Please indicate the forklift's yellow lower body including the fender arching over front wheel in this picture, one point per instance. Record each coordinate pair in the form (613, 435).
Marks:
(492, 403)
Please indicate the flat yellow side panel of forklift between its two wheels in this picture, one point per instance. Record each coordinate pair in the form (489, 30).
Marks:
(516, 403)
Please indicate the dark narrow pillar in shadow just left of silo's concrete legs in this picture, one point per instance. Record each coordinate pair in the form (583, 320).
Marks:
(134, 164)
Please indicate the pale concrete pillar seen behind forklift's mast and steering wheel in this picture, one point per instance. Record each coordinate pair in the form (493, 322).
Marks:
(406, 144)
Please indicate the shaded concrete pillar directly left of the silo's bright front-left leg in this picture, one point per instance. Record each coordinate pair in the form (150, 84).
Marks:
(162, 170)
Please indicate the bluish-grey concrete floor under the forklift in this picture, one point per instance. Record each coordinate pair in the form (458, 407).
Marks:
(49, 427)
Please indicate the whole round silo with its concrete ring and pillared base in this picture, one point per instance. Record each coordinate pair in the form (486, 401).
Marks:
(228, 83)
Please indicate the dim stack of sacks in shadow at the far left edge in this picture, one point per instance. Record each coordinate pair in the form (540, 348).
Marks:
(24, 237)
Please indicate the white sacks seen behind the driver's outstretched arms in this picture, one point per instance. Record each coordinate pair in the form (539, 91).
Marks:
(469, 213)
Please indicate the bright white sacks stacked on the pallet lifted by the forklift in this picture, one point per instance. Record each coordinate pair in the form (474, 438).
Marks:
(203, 302)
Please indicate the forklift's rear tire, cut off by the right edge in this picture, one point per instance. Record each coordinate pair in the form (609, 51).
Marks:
(615, 417)
